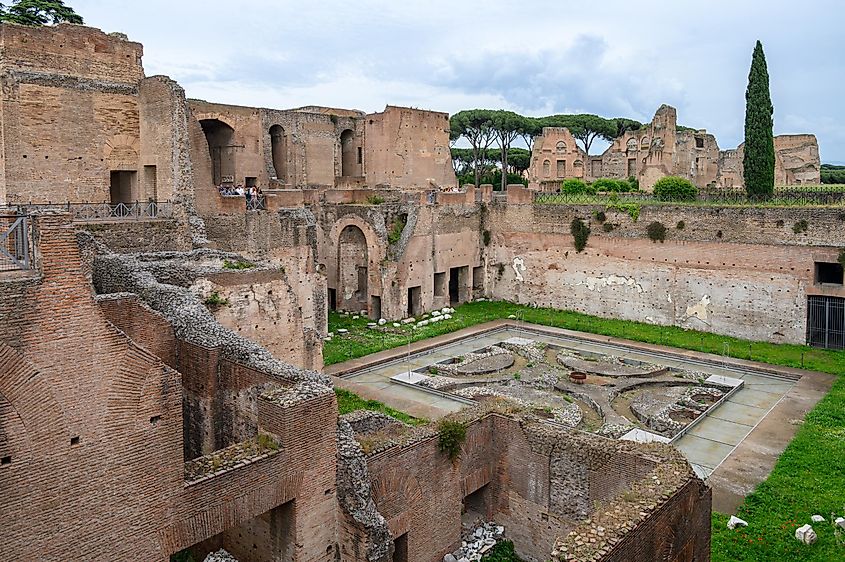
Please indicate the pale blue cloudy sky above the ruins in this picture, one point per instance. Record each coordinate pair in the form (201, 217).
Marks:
(613, 58)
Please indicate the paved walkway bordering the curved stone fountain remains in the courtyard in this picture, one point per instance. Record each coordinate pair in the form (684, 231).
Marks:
(734, 447)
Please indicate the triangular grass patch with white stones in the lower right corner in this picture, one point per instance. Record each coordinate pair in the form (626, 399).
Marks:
(809, 478)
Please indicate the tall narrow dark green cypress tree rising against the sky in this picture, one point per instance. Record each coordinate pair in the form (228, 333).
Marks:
(759, 159)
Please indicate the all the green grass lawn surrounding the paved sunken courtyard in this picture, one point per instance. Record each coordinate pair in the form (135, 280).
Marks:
(809, 477)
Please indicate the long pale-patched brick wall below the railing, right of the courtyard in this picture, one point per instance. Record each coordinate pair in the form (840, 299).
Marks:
(740, 272)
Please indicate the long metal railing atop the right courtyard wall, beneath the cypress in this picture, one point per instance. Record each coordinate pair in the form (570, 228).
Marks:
(787, 196)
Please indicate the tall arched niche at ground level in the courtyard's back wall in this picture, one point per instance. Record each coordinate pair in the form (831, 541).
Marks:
(352, 269)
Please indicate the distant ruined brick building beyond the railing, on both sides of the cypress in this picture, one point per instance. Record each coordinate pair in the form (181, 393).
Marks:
(661, 149)
